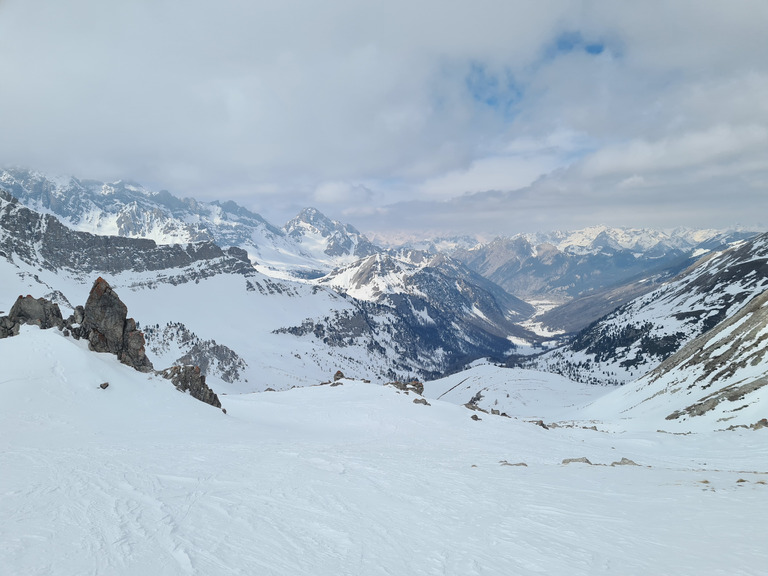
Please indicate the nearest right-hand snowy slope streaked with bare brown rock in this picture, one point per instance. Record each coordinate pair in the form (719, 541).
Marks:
(719, 379)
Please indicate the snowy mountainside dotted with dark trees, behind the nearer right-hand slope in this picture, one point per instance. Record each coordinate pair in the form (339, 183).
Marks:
(639, 335)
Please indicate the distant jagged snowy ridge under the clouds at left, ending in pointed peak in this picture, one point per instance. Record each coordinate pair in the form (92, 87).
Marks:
(310, 246)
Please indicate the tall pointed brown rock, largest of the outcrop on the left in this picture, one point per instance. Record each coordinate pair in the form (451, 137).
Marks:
(108, 329)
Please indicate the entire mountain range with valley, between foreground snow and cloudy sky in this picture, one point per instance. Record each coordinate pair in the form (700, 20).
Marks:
(261, 306)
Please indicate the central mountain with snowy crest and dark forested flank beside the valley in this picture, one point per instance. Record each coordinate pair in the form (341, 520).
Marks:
(429, 305)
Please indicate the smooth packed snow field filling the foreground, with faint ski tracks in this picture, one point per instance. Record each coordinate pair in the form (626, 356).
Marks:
(355, 479)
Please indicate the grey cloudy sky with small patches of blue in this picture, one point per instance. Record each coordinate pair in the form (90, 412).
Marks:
(492, 116)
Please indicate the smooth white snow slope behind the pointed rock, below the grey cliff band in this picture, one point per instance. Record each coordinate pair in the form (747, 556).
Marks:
(245, 314)
